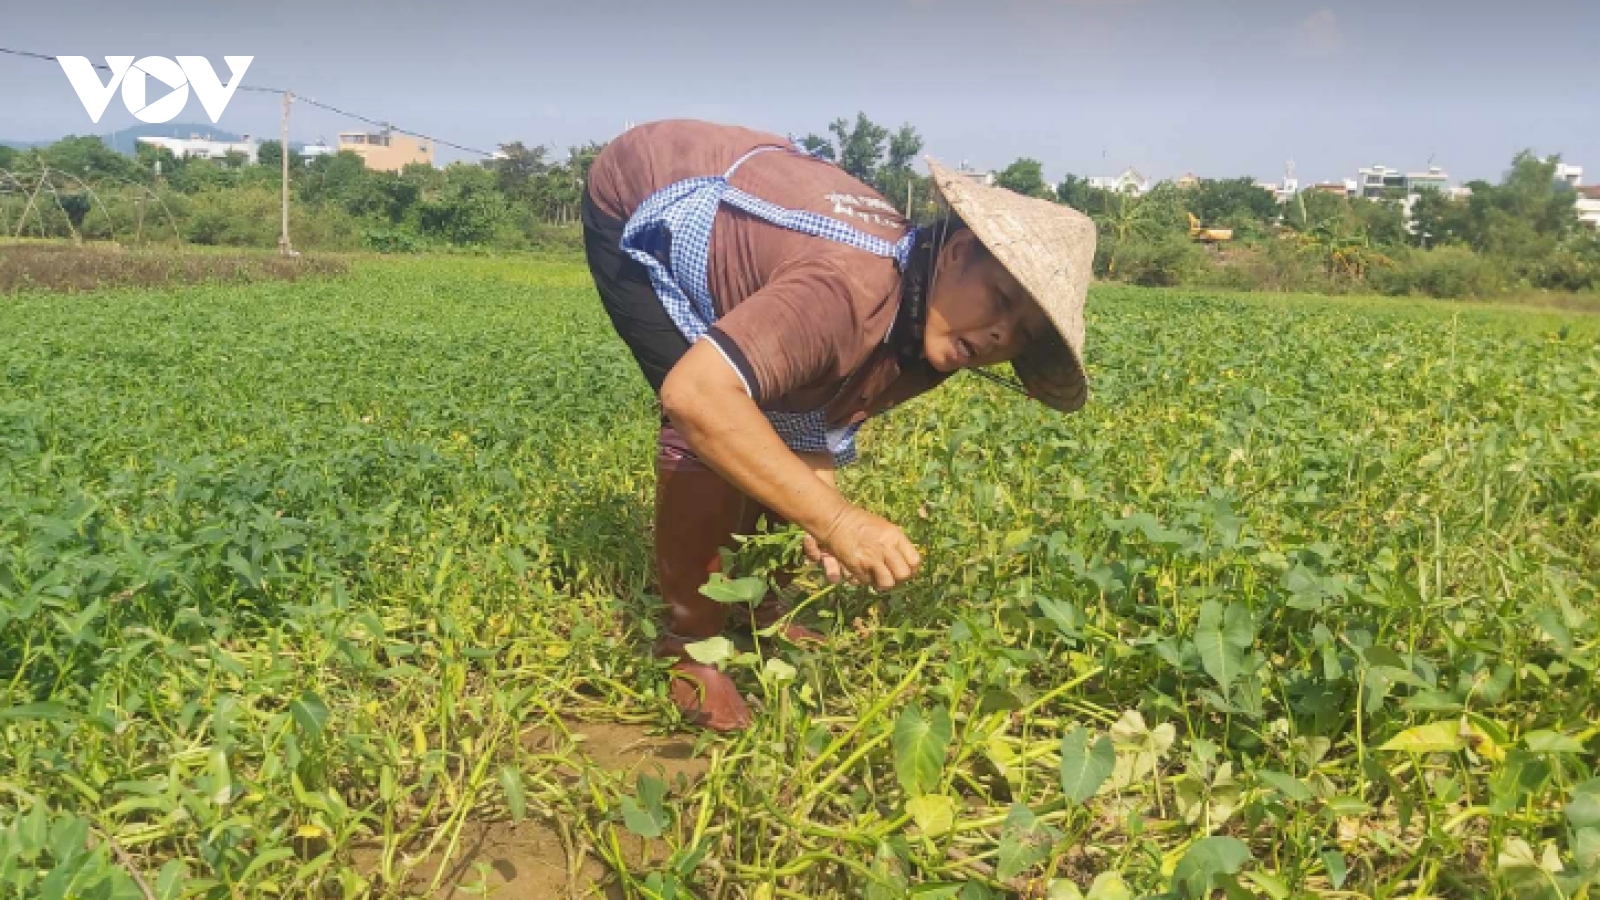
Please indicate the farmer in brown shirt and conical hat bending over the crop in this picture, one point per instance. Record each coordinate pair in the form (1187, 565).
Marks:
(775, 303)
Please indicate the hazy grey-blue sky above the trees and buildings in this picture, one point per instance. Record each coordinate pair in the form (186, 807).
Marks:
(1222, 89)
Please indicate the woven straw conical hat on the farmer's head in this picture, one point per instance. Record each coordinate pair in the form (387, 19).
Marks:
(1050, 251)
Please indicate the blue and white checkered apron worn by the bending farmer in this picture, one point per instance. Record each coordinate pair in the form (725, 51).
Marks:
(679, 220)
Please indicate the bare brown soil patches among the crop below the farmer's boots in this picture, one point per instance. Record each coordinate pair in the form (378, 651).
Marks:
(530, 861)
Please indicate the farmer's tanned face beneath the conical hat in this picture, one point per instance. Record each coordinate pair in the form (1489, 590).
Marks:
(978, 315)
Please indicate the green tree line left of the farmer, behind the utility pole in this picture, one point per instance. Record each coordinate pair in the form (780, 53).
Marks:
(518, 201)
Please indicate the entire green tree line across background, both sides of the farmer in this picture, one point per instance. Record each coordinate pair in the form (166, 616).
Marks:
(1511, 236)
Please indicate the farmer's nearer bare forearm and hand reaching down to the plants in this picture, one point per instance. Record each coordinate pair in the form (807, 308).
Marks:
(708, 403)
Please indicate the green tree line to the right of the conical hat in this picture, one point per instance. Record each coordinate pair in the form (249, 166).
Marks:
(1521, 235)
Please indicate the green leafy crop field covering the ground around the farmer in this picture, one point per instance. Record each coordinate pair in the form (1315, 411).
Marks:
(314, 590)
